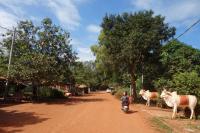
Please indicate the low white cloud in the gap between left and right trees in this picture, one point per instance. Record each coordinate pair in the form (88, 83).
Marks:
(85, 54)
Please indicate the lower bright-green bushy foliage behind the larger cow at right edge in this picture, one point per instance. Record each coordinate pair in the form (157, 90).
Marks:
(181, 68)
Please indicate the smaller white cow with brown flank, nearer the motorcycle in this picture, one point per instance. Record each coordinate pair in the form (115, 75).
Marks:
(148, 96)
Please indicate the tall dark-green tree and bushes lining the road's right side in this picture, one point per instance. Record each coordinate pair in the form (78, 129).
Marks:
(132, 45)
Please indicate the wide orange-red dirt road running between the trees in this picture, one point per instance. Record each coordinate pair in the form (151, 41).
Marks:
(94, 113)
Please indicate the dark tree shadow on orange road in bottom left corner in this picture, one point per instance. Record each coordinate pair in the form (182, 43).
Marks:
(15, 119)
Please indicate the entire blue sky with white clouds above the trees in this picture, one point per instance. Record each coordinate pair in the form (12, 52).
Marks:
(82, 18)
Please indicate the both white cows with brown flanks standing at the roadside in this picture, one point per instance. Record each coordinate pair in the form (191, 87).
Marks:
(172, 99)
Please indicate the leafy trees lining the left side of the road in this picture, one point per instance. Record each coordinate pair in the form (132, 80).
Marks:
(42, 58)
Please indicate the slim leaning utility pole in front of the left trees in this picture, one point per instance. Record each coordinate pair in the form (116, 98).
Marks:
(10, 57)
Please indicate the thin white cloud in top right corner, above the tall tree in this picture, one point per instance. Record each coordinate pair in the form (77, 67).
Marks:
(176, 12)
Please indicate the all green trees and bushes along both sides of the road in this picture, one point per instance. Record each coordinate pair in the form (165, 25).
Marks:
(130, 46)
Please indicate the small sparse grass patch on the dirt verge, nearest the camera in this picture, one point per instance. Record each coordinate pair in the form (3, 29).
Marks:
(160, 125)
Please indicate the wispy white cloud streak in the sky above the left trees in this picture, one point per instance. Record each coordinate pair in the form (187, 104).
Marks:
(65, 11)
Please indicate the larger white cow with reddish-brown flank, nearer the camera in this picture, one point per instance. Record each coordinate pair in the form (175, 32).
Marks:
(175, 101)
